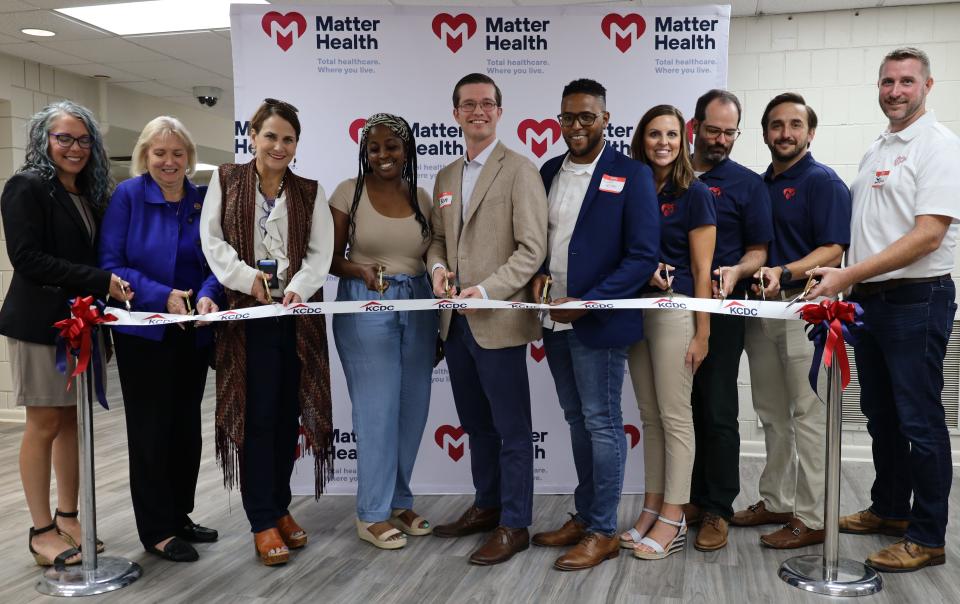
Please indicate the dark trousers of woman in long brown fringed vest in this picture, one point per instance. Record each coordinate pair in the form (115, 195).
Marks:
(272, 423)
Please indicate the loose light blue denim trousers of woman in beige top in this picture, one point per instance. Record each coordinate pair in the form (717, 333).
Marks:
(388, 362)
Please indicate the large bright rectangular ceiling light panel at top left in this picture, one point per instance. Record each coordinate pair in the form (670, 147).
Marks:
(157, 16)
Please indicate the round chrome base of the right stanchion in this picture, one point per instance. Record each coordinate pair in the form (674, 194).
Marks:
(809, 573)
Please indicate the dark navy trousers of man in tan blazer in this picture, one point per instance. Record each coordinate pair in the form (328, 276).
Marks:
(492, 396)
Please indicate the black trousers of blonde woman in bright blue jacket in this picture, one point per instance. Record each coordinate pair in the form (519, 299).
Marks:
(162, 384)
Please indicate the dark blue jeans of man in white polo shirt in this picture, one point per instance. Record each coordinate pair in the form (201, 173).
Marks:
(900, 364)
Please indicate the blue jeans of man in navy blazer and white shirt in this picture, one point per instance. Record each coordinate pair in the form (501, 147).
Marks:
(589, 382)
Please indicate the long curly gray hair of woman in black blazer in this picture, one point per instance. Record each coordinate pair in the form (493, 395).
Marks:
(94, 181)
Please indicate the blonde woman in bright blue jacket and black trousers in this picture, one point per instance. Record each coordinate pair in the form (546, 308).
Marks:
(150, 237)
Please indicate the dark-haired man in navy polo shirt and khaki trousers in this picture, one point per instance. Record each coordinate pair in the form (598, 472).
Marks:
(811, 223)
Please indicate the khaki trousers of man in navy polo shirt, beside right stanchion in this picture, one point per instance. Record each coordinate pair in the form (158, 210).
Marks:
(794, 419)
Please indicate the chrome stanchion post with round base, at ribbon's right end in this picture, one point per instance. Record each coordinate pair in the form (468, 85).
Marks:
(830, 574)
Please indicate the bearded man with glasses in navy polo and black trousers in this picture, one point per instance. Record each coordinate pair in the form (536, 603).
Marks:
(744, 231)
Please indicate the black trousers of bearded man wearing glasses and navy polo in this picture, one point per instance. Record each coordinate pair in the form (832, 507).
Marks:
(715, 401)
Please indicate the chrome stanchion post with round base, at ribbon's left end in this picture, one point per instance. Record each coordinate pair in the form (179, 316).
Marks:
(96, 574)
